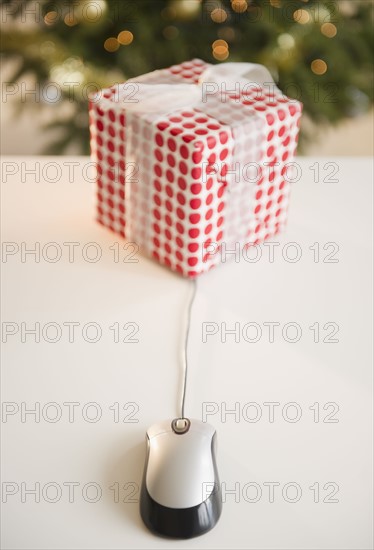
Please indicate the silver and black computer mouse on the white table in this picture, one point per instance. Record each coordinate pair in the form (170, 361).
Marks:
(180, 494)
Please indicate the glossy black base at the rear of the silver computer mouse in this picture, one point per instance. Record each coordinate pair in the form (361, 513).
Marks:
(180, 523)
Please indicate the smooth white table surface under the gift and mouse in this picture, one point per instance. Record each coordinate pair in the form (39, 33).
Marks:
(250, 454)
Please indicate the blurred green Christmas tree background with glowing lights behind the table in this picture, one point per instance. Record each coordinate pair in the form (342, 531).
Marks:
(54, 54)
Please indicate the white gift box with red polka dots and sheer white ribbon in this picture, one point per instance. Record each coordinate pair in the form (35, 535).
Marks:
(194, 161)
